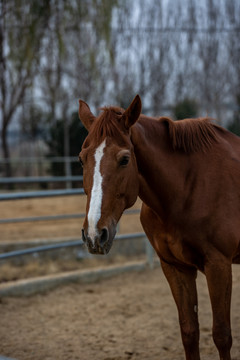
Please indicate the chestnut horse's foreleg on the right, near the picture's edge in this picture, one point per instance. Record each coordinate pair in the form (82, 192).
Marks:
(219, 279)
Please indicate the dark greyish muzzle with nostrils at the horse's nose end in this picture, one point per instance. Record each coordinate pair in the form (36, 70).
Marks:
(101, 243)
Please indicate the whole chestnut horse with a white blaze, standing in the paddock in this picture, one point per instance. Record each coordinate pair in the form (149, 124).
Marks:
(187, 174)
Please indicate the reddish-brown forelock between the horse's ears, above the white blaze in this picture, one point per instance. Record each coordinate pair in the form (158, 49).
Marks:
(107, 125)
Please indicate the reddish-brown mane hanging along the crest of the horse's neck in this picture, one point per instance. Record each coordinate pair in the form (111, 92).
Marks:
(191, 135)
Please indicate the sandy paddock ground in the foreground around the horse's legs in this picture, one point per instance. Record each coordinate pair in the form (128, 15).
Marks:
(131, 316)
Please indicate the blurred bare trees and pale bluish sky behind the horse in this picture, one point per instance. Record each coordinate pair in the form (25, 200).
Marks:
(54, 52)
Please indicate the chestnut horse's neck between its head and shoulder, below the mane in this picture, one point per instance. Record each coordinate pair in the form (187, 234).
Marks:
(161, 170)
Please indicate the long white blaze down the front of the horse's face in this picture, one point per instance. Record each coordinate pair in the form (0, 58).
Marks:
(94, 212)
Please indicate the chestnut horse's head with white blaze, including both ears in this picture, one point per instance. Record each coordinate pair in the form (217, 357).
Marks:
(110, 175)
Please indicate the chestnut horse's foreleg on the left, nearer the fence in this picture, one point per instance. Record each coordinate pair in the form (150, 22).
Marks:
(183, 286)
